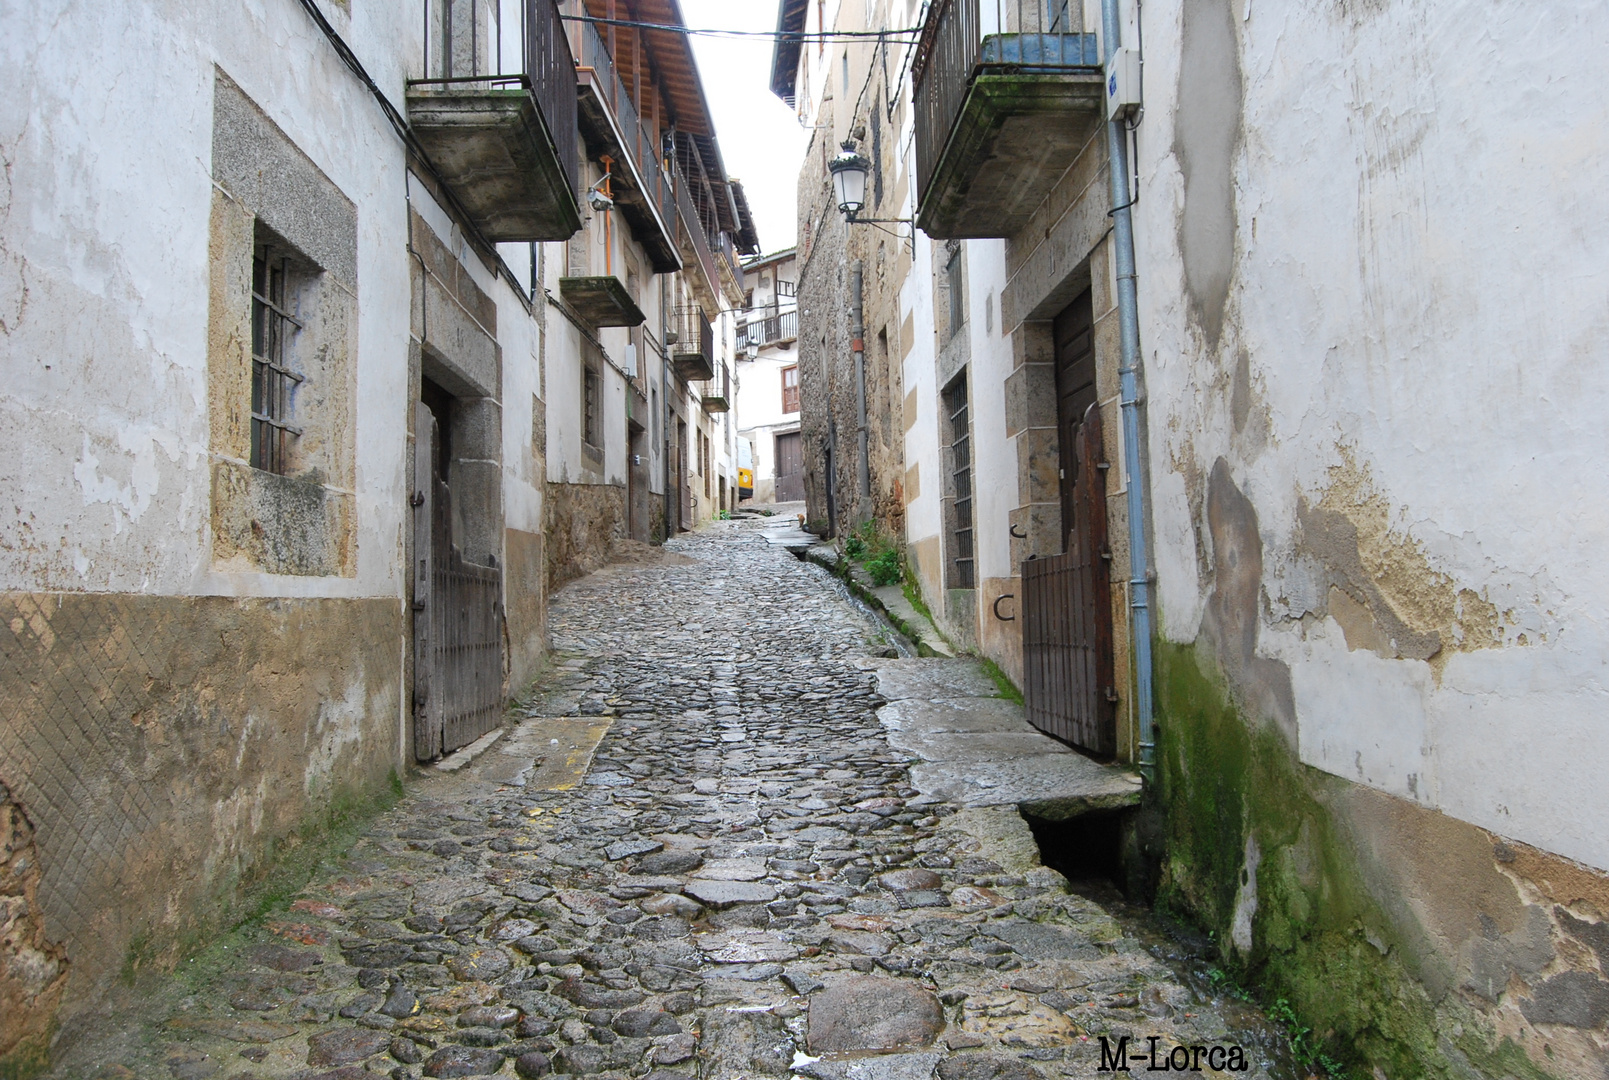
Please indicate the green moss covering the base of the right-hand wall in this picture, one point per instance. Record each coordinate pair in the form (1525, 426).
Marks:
(1319, 934)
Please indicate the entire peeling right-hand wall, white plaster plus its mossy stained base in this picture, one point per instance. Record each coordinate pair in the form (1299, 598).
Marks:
(1372, 250)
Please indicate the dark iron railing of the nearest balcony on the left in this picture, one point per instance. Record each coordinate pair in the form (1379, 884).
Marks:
(500, 43)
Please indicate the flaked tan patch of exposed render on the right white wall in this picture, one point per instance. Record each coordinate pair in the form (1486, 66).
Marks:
(1385, 592)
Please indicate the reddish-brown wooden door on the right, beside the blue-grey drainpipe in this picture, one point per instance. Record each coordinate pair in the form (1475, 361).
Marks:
(1068, 600)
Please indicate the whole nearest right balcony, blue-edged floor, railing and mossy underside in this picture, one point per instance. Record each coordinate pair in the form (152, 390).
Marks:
(1008, 96)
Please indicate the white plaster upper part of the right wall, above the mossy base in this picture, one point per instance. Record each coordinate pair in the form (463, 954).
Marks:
(1418, 286)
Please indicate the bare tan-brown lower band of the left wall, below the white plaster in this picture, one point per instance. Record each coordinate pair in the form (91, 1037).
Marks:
(157, 756)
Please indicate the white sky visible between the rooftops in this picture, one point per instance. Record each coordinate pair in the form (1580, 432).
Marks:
(762, 141)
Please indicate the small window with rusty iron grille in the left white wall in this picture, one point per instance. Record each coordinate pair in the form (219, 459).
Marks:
(274, 381)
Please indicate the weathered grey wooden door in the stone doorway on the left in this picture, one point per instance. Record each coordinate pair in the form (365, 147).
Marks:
(458, 617)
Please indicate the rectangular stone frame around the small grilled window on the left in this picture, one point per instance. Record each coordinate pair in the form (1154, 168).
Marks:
(298, 519)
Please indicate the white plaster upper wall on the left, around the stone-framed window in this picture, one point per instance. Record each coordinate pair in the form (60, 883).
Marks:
(107, 138)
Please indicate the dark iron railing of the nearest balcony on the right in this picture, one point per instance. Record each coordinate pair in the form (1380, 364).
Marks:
(965, 39)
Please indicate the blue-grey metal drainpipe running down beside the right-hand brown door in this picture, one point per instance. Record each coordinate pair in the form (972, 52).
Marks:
(1129, 374)
